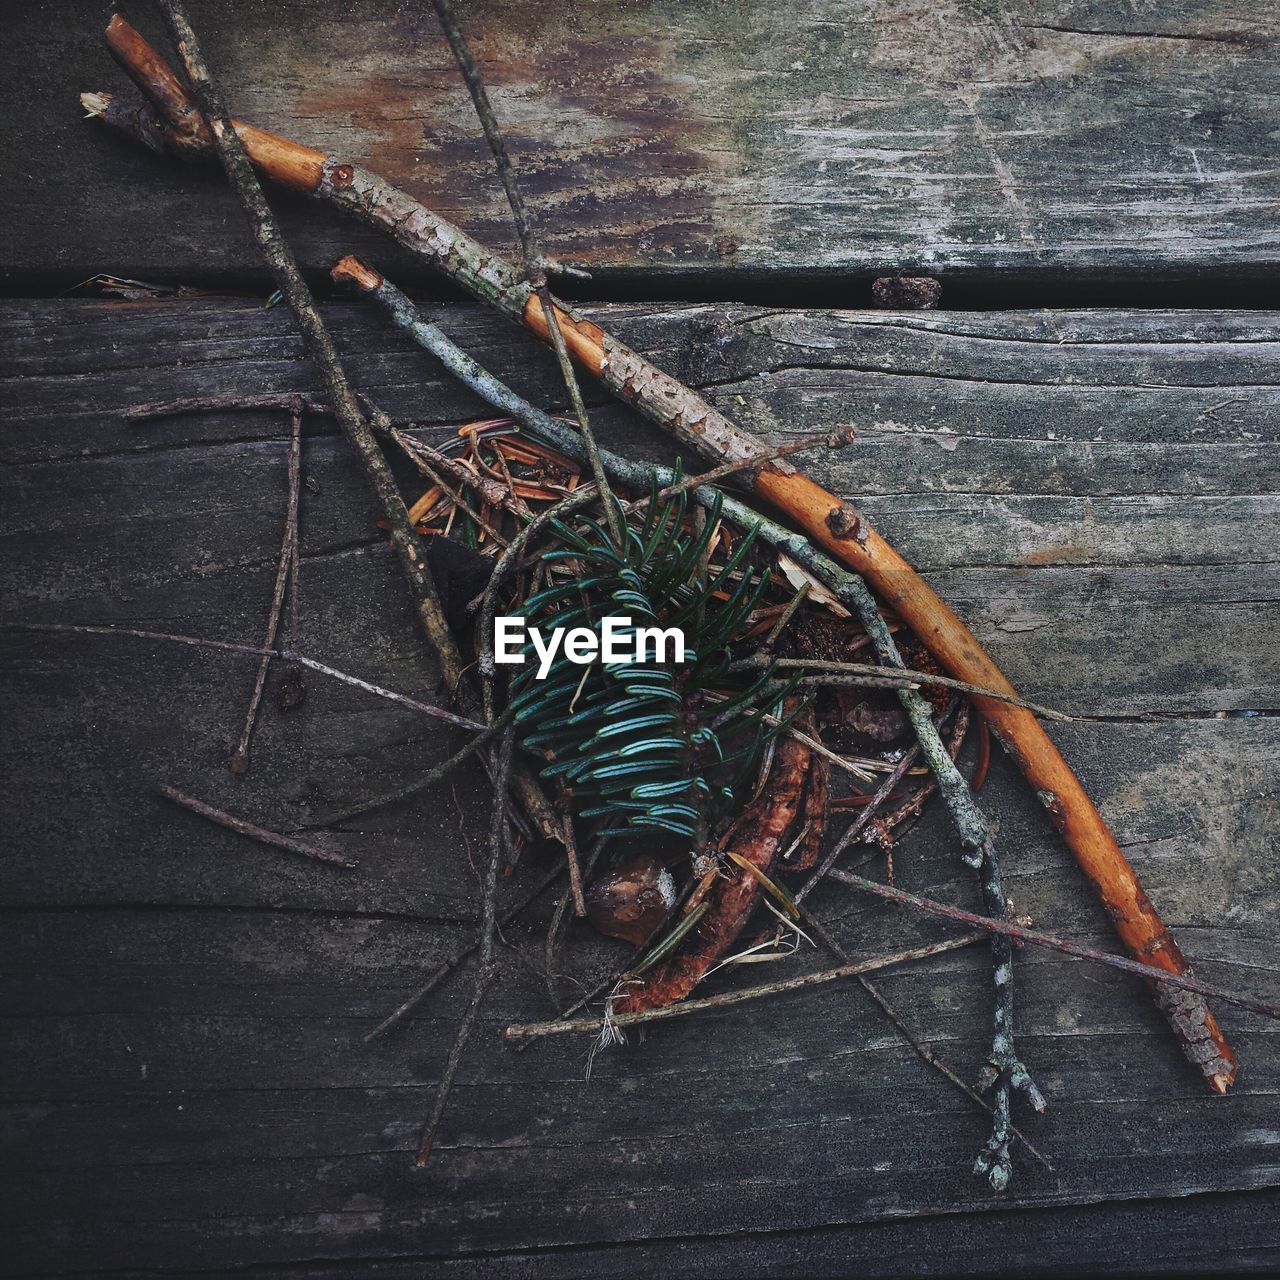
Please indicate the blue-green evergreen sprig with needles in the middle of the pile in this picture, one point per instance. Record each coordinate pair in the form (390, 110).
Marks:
(650, 747)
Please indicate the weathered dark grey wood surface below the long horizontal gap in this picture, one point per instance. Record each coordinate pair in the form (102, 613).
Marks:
(185, 1082)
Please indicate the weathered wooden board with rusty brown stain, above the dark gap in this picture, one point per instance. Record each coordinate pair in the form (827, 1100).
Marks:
(723, 140)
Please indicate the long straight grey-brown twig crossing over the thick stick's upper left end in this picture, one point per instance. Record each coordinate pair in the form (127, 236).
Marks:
(289, 280)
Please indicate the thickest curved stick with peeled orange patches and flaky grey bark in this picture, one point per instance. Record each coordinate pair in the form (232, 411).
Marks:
(831, 523)
